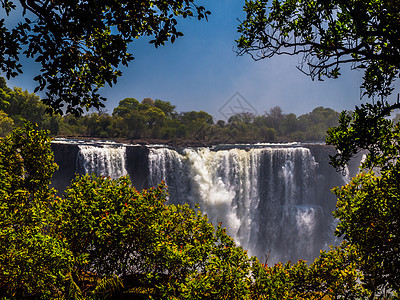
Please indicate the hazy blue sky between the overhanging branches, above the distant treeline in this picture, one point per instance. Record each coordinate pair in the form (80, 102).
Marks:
(201, 71)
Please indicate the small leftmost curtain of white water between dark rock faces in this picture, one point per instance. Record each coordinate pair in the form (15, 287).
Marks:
(107, 161)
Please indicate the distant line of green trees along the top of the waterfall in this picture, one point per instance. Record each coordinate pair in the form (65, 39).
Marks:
(159, 120)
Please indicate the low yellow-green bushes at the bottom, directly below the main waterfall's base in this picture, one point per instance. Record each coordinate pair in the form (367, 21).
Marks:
(334, 275)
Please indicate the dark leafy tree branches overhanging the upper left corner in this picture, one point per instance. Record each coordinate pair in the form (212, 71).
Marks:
(81, 44)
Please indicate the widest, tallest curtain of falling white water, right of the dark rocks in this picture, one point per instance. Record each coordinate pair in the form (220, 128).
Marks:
(264, 196)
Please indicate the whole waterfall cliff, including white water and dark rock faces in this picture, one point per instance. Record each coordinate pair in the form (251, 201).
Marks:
(274, 199)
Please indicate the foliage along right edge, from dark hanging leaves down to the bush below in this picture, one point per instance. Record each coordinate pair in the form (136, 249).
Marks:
(367, 207)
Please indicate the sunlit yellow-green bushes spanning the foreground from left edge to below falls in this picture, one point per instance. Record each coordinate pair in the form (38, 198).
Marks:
(103, 238)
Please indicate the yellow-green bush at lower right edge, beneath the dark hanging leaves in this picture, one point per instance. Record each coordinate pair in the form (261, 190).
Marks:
(368, 210)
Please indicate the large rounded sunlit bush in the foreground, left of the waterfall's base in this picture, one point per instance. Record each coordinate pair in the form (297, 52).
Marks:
(112, 229)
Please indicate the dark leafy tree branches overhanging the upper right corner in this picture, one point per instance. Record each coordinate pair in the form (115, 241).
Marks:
(328, 34)
